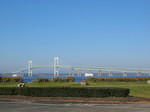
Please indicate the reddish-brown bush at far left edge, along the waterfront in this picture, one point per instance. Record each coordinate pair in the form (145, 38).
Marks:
(11, 79)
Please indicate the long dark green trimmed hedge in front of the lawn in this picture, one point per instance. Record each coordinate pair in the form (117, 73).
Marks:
(66, 92)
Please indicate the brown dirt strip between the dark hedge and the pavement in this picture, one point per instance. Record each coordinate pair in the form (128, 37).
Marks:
(133, 100)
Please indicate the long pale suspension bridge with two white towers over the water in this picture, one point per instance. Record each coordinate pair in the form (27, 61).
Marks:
(56, 66)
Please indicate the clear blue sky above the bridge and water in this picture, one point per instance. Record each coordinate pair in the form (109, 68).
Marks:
(81, 32)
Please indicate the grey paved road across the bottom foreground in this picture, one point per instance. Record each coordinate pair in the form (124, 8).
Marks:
(11, 106)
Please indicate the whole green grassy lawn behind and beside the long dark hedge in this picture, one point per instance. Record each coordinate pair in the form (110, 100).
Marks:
(137, 89)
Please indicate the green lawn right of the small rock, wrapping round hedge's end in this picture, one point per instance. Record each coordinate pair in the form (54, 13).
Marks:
(137, 89)
